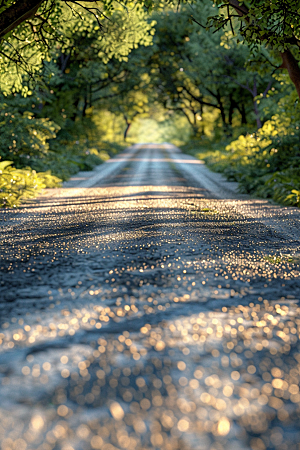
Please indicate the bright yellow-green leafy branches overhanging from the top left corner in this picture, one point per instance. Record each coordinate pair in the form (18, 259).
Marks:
(57, 28)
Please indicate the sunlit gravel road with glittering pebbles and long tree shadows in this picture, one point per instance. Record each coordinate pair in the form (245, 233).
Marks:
(149, 306)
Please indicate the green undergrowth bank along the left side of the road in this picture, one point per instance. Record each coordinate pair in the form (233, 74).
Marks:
(37, 153)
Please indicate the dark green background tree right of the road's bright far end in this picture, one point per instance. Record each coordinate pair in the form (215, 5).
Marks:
(196, 71)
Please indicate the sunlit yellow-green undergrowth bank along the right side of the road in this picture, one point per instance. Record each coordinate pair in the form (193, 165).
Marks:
(265, 164)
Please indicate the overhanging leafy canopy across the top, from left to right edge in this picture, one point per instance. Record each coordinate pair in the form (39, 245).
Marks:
(29, 27)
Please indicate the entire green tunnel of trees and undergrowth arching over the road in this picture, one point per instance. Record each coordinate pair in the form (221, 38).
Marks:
(80, 80)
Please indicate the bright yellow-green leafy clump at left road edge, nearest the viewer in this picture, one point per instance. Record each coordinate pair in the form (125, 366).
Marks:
(17, 185)
